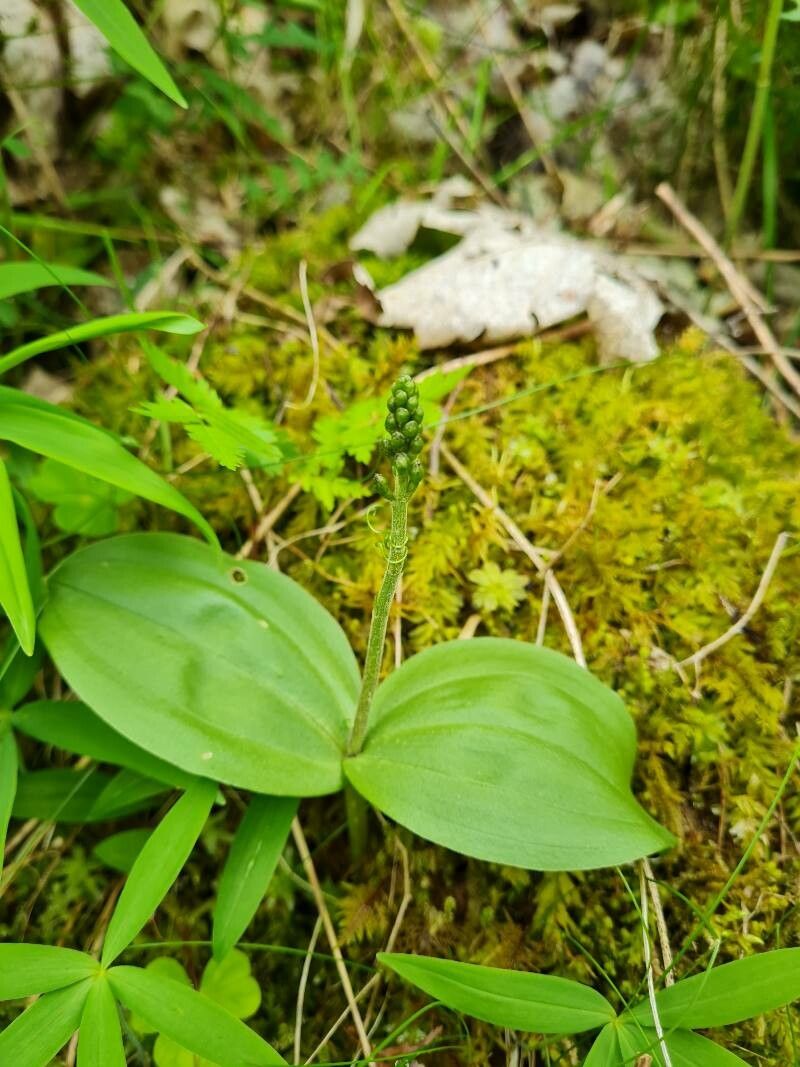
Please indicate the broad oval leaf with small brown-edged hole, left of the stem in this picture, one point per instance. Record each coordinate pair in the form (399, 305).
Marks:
(227, 670)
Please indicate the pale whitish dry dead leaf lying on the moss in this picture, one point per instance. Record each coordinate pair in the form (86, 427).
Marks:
(507, 278)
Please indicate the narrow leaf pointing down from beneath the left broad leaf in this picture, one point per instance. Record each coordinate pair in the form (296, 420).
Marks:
(254, 854)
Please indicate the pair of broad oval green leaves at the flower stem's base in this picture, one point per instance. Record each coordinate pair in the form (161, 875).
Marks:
(231, 672)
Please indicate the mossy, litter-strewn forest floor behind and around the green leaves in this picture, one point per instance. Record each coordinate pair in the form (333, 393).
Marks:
(630, 431)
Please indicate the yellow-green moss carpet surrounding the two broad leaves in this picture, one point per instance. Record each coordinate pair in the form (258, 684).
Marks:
(693, 480)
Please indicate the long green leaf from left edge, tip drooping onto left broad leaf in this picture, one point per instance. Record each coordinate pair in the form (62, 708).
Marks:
(49, 431)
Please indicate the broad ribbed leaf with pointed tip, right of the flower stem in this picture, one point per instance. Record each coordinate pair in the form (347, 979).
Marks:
(508, 753)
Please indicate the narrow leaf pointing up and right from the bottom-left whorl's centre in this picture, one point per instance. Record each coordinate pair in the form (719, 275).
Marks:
(158, 866)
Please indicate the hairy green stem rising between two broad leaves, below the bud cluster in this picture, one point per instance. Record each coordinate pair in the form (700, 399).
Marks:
(396, 552)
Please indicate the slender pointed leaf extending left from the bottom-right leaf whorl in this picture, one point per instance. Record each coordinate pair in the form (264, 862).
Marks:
(536, 1004)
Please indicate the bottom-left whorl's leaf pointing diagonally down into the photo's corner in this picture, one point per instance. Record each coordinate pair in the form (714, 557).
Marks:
(40, 1033)
